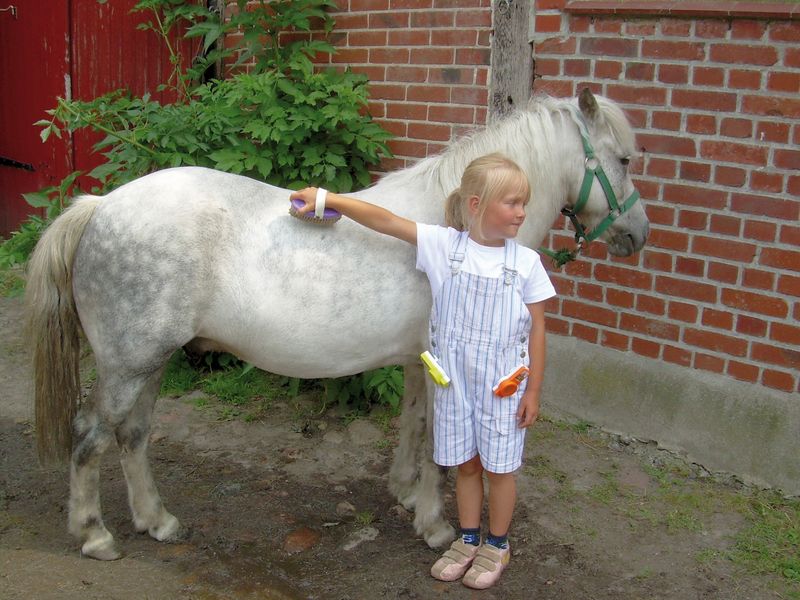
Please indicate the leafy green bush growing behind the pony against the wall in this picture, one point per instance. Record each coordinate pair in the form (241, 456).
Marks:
(277, 119)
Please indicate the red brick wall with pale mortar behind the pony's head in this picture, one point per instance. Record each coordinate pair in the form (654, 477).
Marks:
(713, 96)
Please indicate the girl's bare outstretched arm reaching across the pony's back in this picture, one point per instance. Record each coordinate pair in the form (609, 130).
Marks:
(369, 215)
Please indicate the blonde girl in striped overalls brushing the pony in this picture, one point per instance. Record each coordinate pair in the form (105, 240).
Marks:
(487, 320)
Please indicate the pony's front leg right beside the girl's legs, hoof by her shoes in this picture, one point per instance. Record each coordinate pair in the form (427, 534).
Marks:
(428, 519)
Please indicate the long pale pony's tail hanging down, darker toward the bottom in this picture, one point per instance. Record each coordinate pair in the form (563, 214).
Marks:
(54, 330)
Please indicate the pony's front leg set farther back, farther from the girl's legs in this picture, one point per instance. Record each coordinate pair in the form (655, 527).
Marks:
(403, 482)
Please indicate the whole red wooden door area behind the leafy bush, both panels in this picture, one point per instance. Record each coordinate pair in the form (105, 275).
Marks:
(67, 48)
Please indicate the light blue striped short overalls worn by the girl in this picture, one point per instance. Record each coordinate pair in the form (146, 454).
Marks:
(479, 332)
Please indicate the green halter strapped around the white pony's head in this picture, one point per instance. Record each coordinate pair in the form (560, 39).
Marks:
(592, 169)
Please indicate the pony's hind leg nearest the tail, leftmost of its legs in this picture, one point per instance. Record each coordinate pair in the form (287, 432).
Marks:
(108, 405)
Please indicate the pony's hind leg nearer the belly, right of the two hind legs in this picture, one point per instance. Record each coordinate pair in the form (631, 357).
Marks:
(147, 509)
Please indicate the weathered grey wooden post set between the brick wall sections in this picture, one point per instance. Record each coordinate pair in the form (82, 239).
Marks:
(512, 57)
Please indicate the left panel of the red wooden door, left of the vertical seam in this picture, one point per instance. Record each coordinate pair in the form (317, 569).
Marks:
(34, 71)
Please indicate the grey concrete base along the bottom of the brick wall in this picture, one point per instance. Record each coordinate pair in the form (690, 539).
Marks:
(719, 423)
